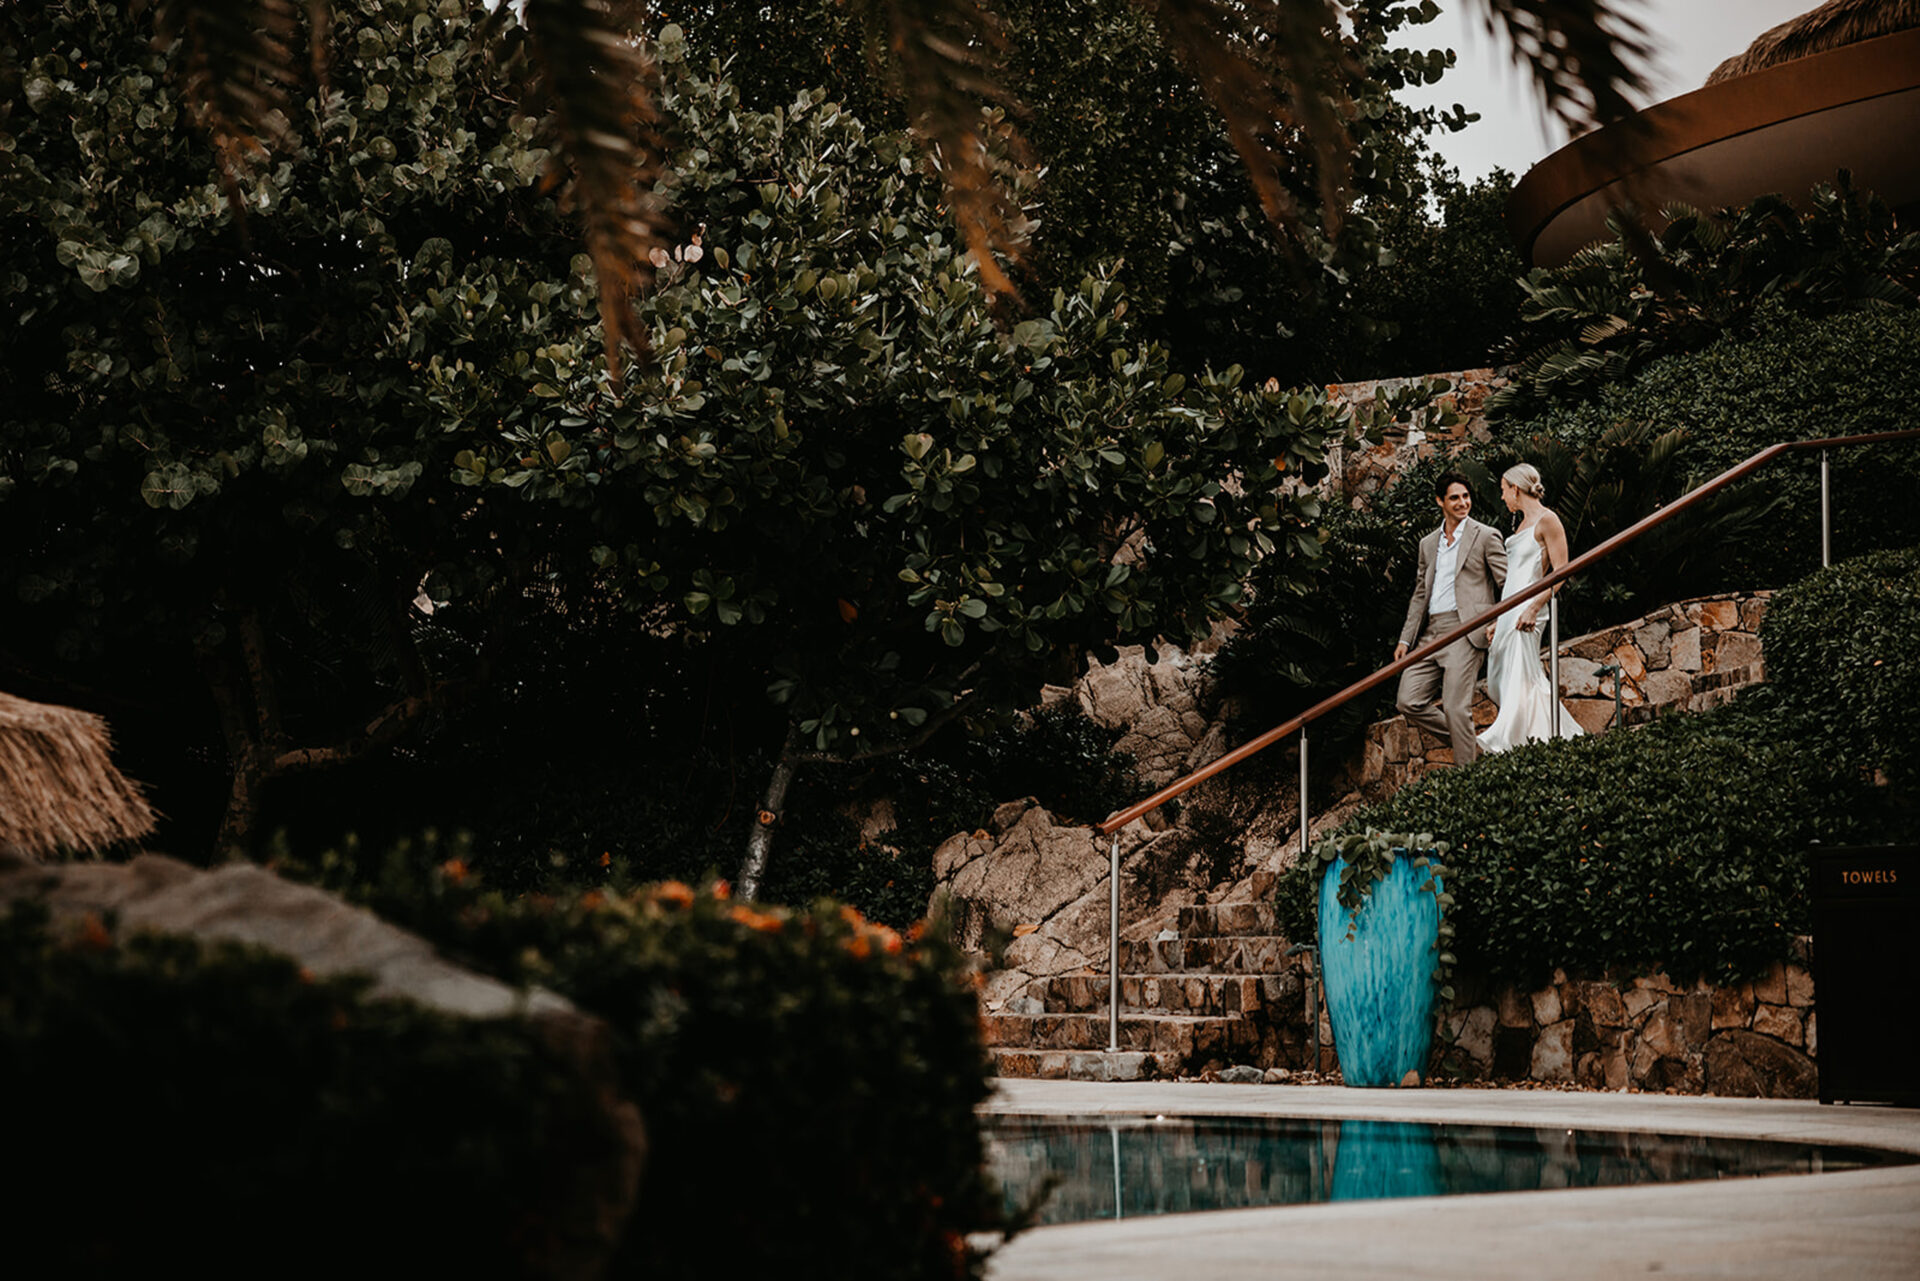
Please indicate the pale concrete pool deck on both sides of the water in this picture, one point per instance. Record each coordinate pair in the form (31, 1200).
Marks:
(1848, 1226)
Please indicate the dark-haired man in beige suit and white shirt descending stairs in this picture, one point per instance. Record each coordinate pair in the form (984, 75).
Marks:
(1464, 566)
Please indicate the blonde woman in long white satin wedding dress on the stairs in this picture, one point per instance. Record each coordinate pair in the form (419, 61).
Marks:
(1514, 675)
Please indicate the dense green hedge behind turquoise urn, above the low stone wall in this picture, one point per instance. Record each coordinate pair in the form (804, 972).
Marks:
(1681, 846)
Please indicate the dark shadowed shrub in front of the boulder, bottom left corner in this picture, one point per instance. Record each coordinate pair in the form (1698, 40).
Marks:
(212, 1107)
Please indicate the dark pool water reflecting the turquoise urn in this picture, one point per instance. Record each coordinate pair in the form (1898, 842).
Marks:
(1126, 1167)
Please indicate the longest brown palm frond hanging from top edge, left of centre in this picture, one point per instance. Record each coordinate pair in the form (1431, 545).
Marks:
(594, 85)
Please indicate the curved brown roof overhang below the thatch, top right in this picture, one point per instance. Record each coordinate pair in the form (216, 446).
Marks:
(1781, 130)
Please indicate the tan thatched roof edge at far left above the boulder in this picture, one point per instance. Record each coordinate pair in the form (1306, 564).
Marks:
(59, 786)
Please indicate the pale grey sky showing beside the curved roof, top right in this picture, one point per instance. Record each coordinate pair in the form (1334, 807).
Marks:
(1691, 39)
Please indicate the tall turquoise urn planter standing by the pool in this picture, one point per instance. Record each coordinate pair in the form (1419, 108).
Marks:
(1380, 982)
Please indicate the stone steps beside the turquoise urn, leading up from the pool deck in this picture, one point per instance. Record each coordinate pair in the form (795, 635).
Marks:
(1216, 990)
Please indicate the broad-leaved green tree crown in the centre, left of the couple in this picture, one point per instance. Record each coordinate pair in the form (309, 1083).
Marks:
(876, 493)
